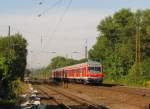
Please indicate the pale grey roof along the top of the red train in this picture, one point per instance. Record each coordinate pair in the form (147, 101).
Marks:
(81, 65)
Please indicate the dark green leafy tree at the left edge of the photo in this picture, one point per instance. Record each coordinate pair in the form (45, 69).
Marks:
(13, 54)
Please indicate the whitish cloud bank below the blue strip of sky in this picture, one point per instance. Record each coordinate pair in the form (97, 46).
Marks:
(70, 34)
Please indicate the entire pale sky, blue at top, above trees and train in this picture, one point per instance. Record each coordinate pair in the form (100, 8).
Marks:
(59, 27)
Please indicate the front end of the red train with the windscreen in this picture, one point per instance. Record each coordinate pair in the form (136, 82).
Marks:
(95, 75)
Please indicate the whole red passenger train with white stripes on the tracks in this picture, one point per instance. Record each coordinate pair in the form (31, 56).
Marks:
(88, 72)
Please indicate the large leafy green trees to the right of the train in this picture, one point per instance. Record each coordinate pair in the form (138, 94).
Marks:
(115, 46)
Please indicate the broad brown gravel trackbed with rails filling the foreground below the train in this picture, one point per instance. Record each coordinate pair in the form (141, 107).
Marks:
(107, 95)
